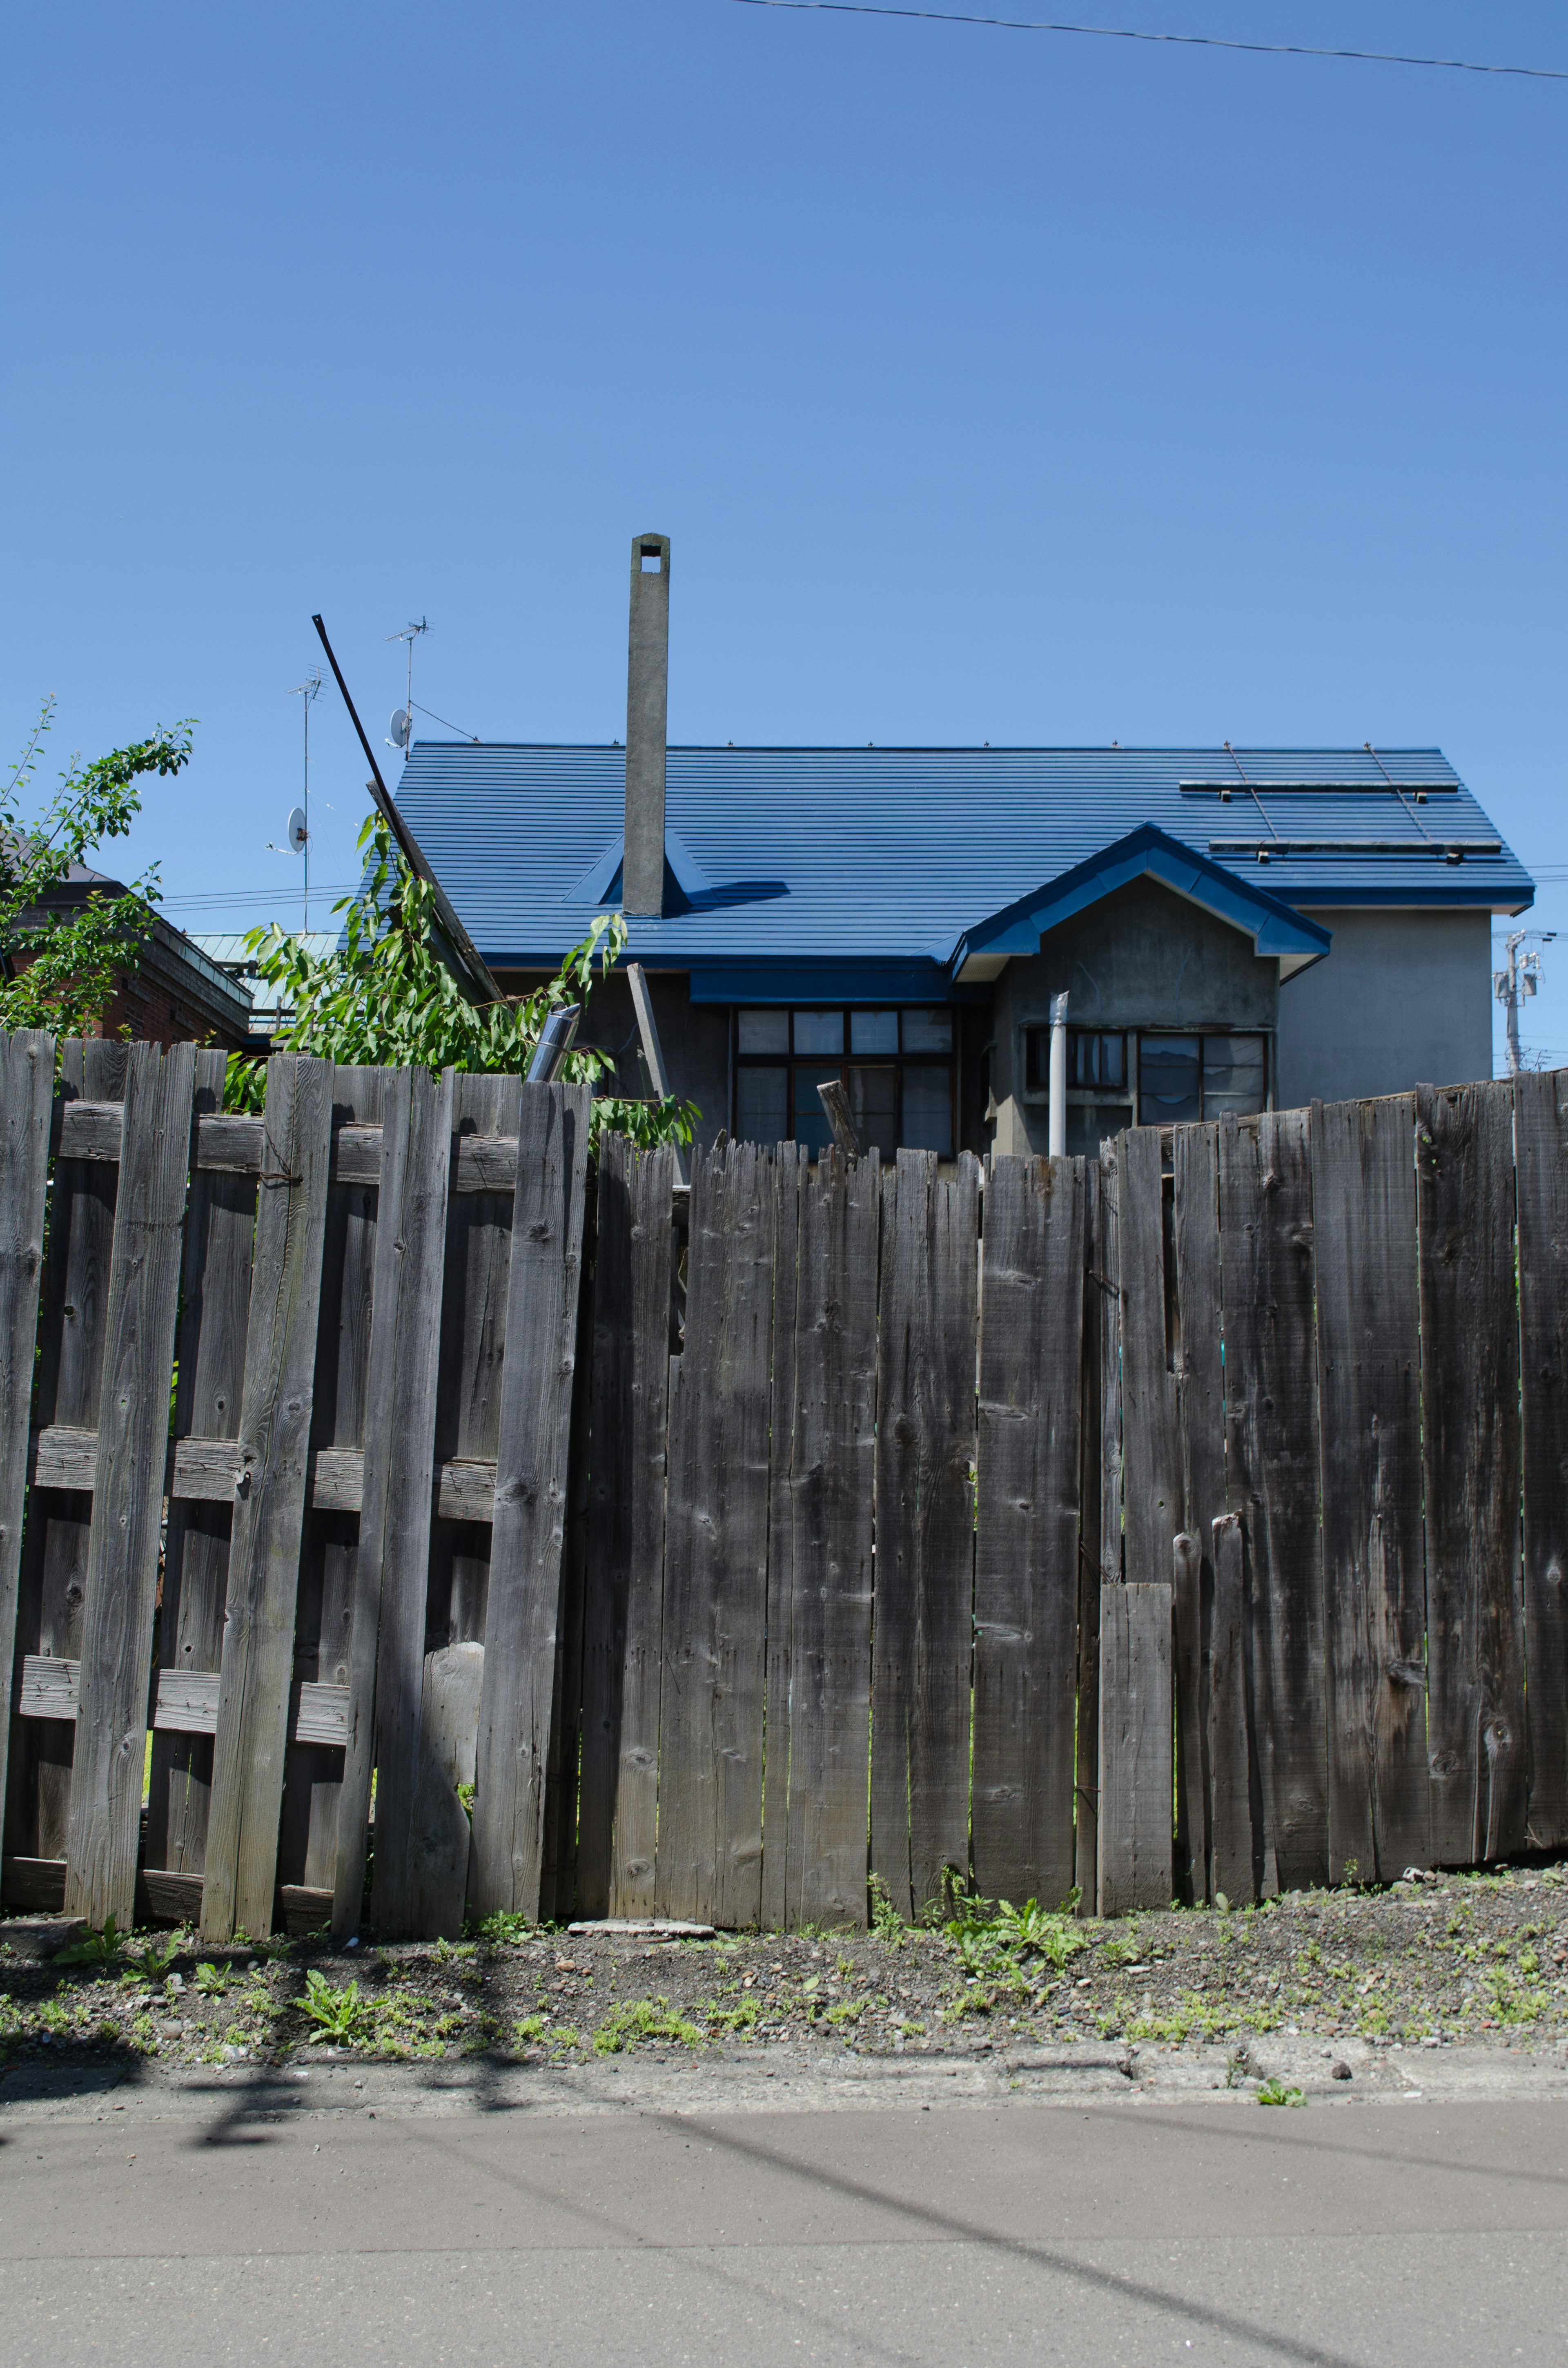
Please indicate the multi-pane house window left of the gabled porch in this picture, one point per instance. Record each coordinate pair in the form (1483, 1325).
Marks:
(897, 1069)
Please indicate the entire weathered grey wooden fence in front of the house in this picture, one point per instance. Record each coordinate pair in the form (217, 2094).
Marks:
(852, 1524)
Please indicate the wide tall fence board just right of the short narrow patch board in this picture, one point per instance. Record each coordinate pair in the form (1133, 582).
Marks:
(1271, 1389)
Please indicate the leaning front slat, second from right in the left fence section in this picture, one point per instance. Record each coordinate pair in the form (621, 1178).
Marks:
(399, 1476)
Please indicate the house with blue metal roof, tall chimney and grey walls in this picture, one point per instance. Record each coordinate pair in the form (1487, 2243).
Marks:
(1233, 929)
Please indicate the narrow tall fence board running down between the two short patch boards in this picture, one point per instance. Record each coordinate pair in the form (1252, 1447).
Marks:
(1202, 1408)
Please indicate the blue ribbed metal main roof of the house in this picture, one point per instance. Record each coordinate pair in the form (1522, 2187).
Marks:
(788, 858)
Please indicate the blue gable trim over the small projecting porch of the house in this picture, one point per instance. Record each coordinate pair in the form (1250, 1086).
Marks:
(1278, 932)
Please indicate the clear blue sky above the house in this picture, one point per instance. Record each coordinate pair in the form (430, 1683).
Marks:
(991, 387)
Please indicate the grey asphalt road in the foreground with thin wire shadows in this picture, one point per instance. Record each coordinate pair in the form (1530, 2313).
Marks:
(634, 2239)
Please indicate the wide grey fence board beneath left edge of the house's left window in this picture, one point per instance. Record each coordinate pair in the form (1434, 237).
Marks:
(716, 1555)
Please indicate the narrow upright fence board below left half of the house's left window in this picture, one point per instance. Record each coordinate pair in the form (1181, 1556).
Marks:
(790, 1178)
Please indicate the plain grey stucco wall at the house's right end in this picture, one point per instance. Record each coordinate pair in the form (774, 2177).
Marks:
(1406, 998)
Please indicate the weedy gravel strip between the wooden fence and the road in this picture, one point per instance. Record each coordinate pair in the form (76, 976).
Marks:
(1477, 1960)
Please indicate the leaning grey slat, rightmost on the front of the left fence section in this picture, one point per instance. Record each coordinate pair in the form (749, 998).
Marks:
(532, 1479)
